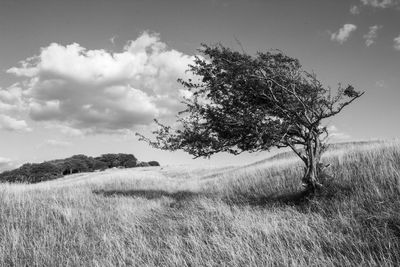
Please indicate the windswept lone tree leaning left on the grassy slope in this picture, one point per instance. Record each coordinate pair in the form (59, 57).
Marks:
(252, 103)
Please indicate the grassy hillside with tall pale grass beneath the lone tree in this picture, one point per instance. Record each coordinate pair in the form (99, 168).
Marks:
(230, 216)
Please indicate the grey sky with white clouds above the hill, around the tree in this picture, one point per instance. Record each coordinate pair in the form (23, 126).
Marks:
(81, 77)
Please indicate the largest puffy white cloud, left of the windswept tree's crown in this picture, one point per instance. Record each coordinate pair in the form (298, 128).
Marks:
(100, 91)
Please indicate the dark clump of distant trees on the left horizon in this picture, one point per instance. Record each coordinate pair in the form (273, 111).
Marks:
(38, 172)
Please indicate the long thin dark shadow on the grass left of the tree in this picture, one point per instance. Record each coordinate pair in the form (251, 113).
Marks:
(148, 194)
